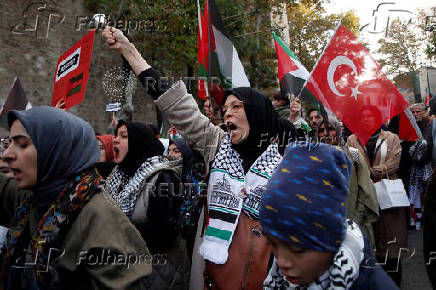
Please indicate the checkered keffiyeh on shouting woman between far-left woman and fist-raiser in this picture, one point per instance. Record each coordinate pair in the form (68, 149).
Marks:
(125, 189)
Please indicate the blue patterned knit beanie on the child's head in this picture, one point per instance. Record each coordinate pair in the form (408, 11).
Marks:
(305, 202)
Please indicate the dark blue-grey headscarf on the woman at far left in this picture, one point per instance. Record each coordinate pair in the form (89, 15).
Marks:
(65, 145)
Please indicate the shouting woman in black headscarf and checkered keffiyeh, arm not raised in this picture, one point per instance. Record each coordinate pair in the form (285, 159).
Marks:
(146, 185)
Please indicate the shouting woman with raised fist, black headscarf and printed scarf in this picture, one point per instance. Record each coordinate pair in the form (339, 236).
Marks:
(234, 253)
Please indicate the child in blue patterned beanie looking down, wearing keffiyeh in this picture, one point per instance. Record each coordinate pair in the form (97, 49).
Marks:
(303, 216)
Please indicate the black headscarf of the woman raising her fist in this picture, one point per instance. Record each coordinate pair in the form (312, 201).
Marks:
(264, 124)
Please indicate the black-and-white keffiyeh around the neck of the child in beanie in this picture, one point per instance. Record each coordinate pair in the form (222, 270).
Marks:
(343, 272)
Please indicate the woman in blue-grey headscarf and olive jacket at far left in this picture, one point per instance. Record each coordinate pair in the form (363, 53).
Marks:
(53, 154)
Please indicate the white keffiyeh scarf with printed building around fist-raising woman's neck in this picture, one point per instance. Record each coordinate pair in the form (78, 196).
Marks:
(231, 191)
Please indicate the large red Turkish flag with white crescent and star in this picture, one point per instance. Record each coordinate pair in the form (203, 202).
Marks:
(350, 83)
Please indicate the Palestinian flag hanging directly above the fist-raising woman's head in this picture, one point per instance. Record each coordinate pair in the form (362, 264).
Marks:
(218, 59)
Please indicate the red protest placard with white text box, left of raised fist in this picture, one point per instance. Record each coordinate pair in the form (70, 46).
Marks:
(72, 72)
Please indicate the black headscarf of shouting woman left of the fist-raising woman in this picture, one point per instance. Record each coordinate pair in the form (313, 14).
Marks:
(143, 144)
